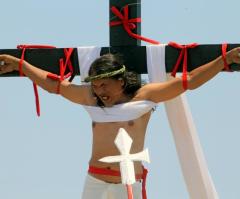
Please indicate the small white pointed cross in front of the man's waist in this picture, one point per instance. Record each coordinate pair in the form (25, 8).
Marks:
(124, 142)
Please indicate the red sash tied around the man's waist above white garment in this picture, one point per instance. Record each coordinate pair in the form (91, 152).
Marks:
(109, 172)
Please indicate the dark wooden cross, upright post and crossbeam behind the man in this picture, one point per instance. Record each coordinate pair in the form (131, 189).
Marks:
(133, 53)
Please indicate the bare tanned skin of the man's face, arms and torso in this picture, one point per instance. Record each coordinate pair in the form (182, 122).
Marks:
(110, 91)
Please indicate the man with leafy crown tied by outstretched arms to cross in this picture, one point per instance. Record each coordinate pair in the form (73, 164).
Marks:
(116, 99)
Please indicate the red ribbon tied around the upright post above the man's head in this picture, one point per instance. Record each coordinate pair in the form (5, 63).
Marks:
(128, 24)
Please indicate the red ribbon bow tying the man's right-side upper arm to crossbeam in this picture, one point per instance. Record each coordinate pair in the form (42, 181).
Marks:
(183, 57)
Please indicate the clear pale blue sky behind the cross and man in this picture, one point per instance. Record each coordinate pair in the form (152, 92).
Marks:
(47, 157)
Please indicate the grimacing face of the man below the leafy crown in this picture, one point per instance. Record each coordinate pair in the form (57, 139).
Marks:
(110, 91)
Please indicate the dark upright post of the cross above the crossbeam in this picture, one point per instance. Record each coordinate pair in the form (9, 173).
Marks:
(118, 36)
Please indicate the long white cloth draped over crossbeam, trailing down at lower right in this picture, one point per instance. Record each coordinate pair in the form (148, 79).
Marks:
(192, 161)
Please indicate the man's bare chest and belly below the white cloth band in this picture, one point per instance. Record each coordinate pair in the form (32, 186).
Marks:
(103, 145)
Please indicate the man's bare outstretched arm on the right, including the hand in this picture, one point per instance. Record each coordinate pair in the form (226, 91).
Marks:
(158, 92)
